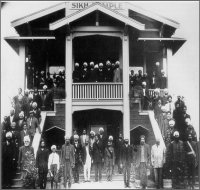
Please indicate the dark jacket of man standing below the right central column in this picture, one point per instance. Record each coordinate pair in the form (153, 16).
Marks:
(126, 155)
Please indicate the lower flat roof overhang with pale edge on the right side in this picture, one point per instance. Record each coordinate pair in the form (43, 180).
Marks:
(174, 43)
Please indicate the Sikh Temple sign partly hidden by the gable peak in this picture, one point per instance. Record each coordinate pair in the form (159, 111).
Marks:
(83, 5)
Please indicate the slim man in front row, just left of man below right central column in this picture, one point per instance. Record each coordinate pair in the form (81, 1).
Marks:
(119, 148)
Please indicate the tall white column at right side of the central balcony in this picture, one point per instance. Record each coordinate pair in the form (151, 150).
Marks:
(126, 115)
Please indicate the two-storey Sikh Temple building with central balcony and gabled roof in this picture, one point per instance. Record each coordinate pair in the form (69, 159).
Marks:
(68, 32)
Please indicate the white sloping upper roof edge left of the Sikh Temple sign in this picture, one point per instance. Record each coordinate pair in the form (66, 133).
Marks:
(38, 14)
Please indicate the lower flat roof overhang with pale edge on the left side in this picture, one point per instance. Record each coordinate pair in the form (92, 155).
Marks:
(14, 41)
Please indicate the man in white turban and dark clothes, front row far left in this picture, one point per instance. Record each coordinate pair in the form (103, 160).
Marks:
(8, 156)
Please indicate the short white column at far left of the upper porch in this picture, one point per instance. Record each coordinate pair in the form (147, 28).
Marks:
(22, 61)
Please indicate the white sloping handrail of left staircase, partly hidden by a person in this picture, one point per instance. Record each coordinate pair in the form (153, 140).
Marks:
(37, 137)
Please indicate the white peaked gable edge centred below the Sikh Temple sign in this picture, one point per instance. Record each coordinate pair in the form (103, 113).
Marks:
(96, 7)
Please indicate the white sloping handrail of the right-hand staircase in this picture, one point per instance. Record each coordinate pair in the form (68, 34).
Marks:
(155, 127)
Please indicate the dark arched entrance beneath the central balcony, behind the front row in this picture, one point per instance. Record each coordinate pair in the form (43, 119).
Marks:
(110, 120)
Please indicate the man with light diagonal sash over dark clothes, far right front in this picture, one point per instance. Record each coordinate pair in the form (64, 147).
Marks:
(190, 147)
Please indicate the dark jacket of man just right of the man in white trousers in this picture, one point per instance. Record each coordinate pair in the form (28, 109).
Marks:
(97, 152)
